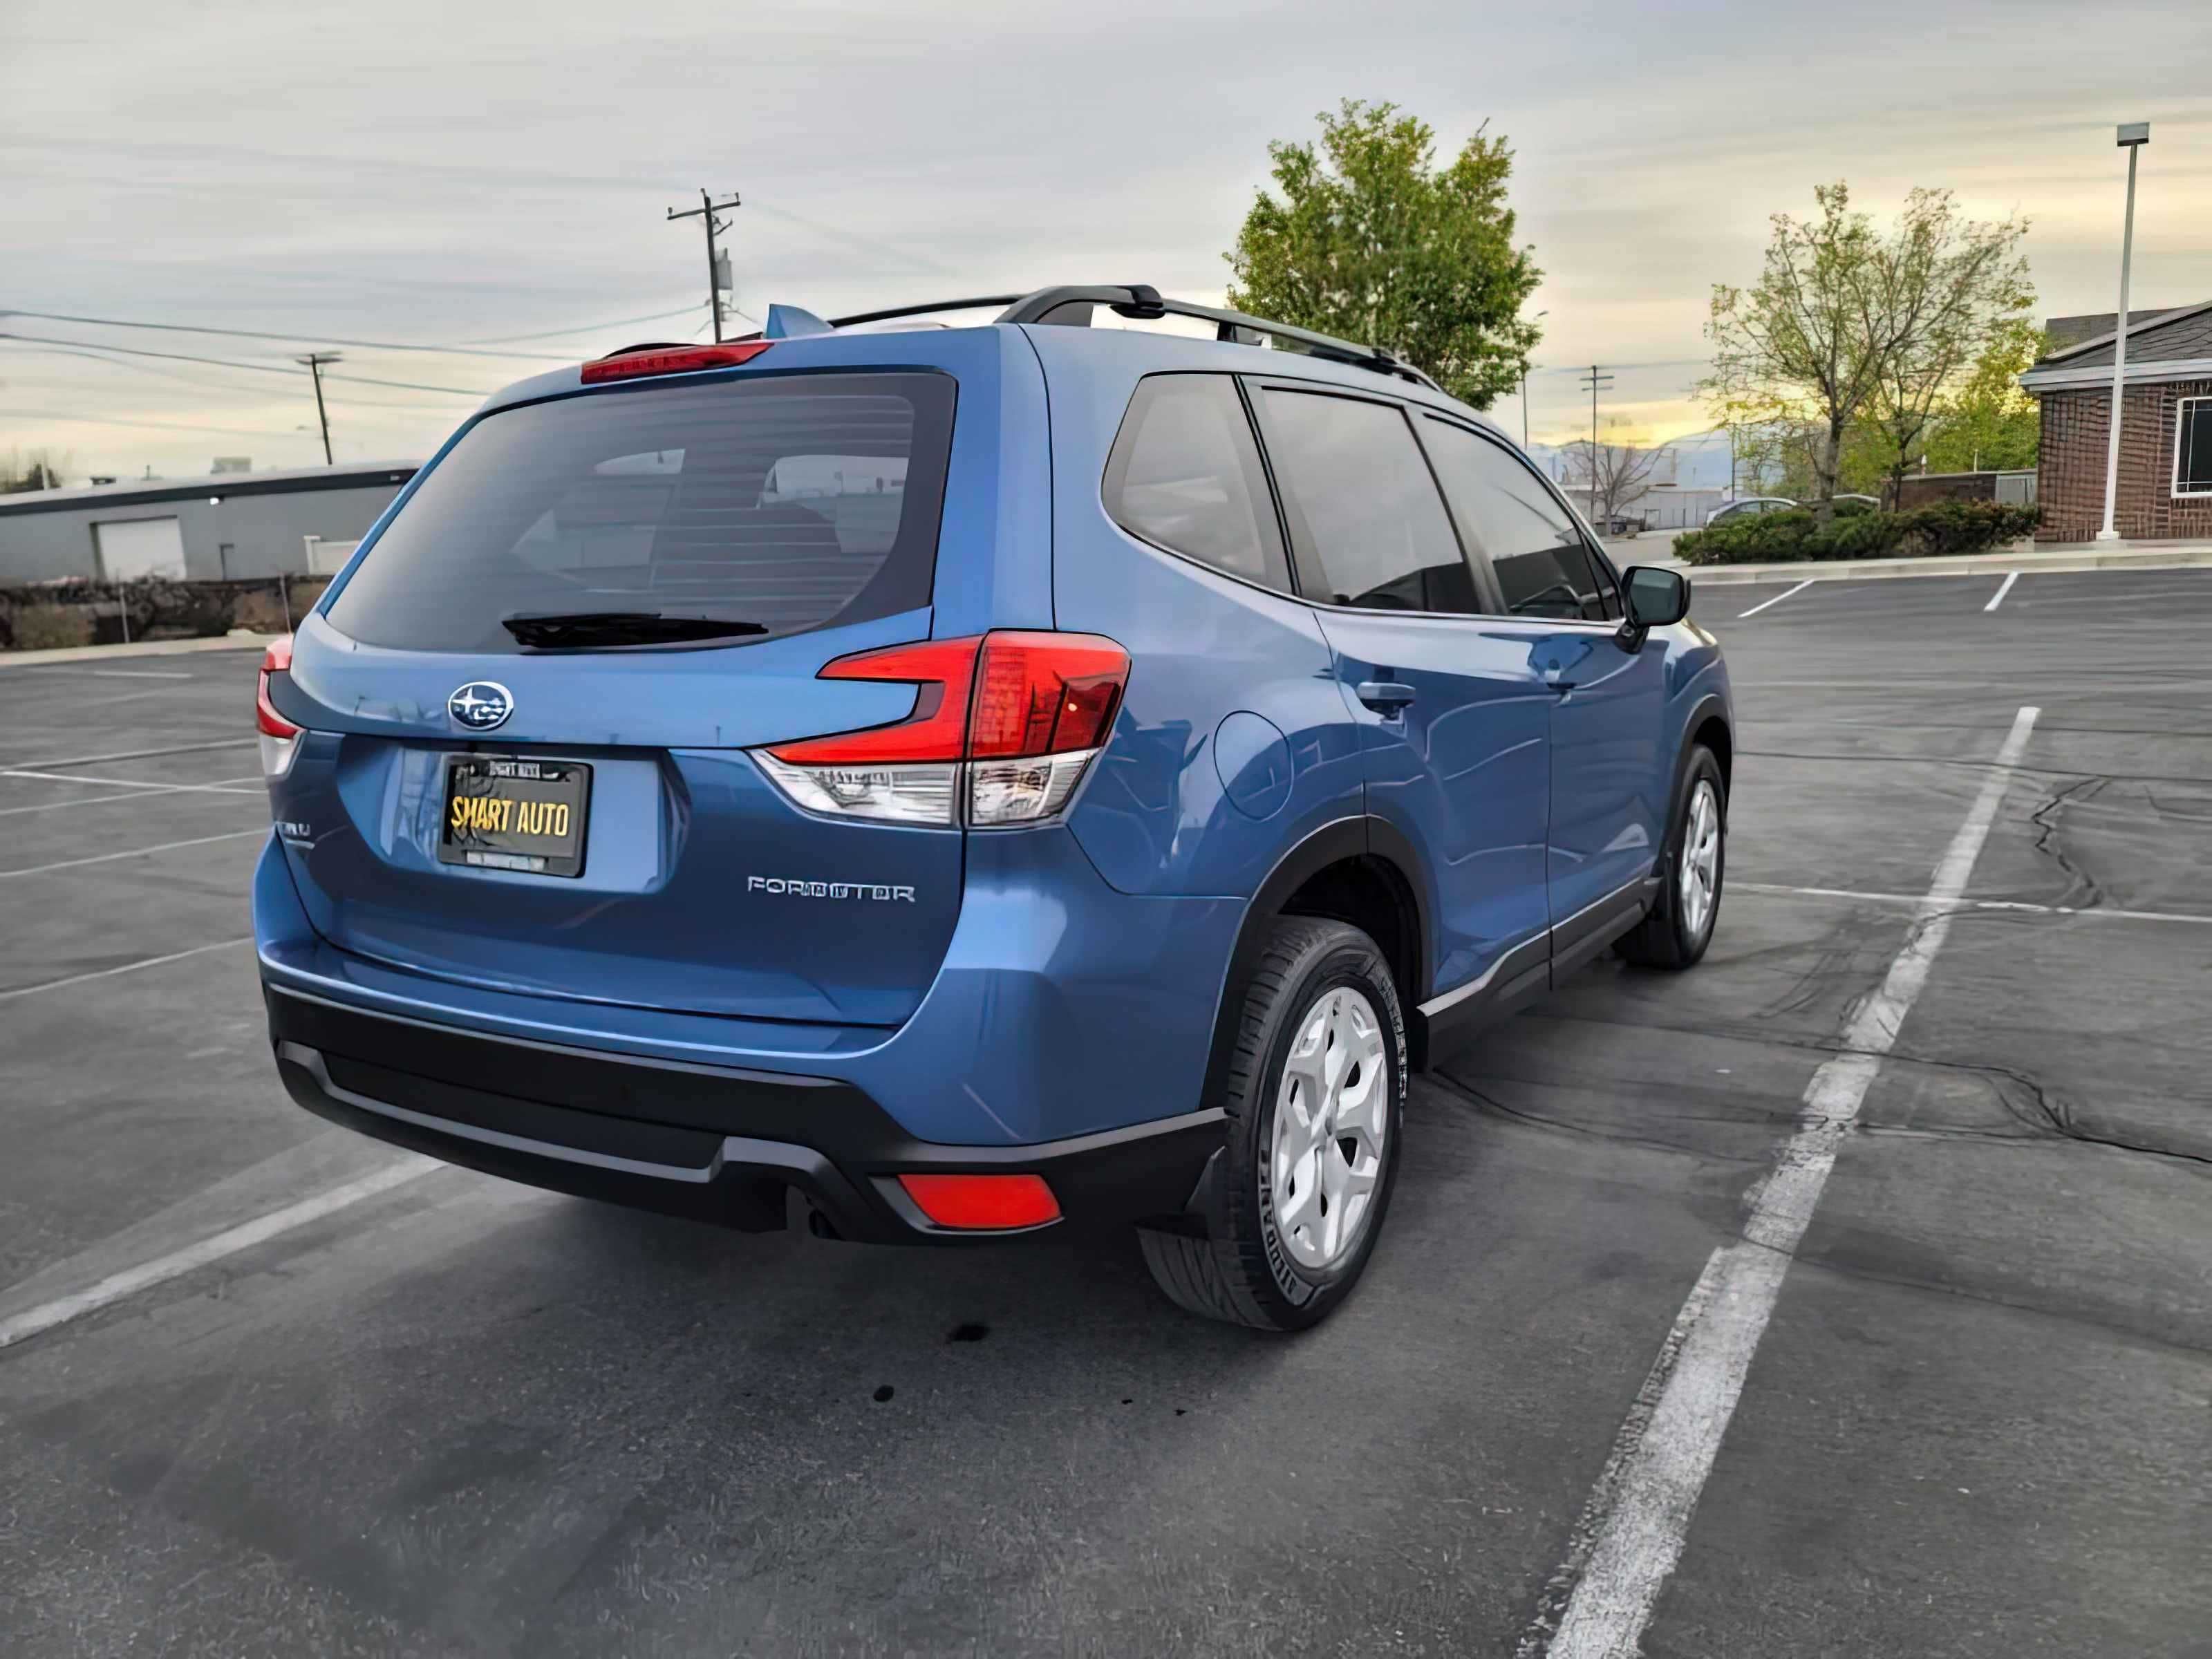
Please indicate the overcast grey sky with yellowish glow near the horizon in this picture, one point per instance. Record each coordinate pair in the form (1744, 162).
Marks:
(481, 169)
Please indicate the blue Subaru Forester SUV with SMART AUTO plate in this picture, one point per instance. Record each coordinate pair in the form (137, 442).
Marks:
(928, 784)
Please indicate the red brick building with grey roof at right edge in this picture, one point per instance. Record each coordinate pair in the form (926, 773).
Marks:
(2164, 428)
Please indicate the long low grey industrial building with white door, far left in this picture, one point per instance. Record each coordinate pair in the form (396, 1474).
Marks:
(207, 530)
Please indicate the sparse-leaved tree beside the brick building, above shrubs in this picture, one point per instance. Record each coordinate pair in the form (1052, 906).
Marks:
(1853, 328)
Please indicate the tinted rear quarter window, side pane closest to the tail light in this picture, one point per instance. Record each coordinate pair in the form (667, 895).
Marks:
(1187, 474)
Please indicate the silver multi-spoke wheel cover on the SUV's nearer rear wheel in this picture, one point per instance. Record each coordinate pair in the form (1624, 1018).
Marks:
(1331, 1118)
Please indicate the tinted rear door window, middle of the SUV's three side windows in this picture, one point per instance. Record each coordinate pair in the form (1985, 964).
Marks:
(1370, 514)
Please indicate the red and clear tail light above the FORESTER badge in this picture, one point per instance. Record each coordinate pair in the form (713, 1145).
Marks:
(1001, 731)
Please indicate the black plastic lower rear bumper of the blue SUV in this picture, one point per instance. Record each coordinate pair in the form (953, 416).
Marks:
(707, 1142)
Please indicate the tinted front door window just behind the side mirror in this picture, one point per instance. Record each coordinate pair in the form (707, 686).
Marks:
(1534, 545)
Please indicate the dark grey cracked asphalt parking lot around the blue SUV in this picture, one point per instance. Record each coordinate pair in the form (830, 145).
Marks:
(437, 1415)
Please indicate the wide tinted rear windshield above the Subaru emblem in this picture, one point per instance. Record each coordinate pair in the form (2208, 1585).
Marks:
(780, 501)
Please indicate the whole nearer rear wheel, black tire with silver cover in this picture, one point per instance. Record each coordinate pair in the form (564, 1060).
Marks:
(1269, 1255)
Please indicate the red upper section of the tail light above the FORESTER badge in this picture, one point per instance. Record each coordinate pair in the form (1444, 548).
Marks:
(1008, 696)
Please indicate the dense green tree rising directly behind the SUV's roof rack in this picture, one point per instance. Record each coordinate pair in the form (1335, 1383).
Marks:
(1366, 238)
